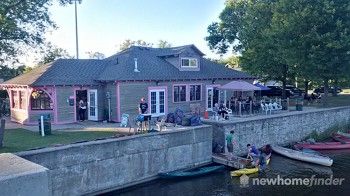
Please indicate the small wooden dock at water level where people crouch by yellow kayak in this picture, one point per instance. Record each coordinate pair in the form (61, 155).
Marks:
(231, 161)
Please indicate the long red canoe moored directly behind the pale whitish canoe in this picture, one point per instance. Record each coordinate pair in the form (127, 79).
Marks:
(324, 145)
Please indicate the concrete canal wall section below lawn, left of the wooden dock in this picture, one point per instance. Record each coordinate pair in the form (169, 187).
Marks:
(96, 166)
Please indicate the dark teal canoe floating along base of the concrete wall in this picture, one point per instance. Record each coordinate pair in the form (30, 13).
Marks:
(191, 173)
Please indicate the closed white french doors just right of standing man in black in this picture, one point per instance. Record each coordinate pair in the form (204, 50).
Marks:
(157, 102)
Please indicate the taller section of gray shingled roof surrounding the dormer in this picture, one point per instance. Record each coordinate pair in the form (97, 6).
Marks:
(153, 66)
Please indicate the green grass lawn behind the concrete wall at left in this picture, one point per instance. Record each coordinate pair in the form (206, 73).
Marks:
(16, 140)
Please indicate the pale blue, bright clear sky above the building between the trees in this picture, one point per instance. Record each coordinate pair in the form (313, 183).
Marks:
(104, 24)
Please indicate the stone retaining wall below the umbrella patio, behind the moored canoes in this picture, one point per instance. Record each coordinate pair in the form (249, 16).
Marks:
(280, 129)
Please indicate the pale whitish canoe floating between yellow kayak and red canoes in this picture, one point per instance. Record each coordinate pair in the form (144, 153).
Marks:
(302, 156)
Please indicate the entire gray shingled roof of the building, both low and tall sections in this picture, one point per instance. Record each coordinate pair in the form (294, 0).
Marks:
(151, 63)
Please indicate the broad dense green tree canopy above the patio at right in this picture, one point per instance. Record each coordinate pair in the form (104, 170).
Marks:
(281, 39)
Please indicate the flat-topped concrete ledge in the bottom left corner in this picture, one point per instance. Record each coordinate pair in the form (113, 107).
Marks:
(21, 177)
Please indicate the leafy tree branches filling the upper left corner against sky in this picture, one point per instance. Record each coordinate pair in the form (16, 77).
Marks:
(23, 24)
